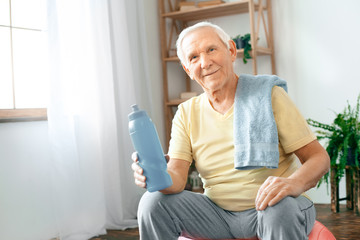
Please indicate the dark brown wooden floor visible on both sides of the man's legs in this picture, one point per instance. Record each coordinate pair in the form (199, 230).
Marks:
(345, 225)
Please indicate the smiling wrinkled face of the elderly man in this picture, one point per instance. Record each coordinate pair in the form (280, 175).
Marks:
(207, 59)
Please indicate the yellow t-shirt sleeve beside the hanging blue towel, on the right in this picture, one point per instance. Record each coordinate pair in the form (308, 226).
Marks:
(293, 130)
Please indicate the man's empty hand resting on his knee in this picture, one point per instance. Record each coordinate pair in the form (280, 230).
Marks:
(275, 189)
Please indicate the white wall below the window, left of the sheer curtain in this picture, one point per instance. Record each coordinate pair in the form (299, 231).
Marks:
(25, 177)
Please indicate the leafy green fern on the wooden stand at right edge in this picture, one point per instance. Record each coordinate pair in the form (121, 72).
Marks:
(343, 140)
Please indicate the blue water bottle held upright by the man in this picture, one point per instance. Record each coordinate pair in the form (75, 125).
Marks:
(150, 153)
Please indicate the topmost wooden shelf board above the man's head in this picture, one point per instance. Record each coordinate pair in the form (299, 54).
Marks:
(224, 9)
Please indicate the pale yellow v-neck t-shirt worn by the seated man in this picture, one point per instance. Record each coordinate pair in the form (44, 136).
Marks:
(201, 134)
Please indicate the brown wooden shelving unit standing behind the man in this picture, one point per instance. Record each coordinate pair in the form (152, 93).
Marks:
(169, 12)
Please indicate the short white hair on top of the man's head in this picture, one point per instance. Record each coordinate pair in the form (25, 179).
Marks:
(222, 35)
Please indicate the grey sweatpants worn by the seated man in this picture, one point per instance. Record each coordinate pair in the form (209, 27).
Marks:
(166, 217)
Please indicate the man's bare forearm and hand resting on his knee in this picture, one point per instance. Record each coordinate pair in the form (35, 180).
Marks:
(315, 163)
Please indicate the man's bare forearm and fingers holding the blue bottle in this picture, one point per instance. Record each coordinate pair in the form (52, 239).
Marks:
(177, 168)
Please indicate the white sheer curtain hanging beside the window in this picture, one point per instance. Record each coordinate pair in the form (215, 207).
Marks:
(93, 84)
